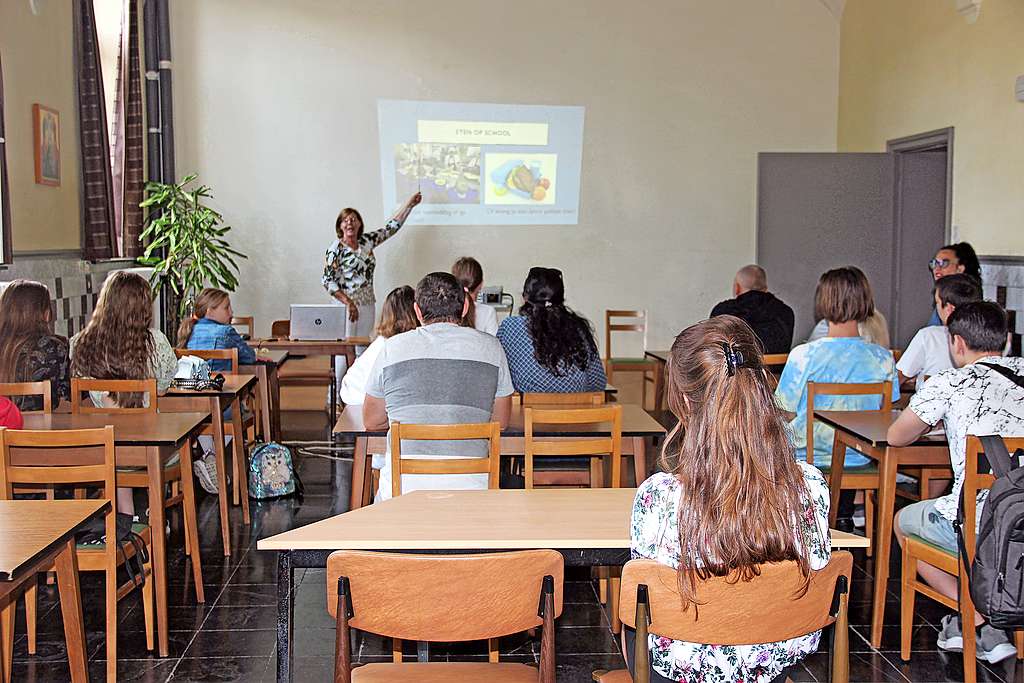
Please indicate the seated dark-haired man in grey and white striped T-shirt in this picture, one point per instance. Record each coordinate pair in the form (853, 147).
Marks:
(441, 373)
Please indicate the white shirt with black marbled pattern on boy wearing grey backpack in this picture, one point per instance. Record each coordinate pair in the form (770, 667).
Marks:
(975, 401)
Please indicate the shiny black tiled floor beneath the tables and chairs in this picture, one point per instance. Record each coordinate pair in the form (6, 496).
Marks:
(232, 637)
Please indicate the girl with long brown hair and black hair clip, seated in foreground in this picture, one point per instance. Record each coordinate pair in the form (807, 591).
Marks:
(733, 495)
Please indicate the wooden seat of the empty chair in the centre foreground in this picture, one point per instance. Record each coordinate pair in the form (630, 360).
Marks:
(445, 672)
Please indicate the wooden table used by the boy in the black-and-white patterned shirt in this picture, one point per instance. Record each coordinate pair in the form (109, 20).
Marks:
(867, 433)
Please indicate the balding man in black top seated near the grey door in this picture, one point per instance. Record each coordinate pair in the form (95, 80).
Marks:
(771, 319)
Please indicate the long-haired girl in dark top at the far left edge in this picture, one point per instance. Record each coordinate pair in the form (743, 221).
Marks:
(29, 350)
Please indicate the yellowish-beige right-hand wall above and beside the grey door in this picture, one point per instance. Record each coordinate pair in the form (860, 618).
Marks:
(914, 66)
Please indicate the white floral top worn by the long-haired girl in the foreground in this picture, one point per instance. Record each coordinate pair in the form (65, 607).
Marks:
(655, 535)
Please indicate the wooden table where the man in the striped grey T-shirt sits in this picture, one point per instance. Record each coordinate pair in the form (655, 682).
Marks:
(637, 426)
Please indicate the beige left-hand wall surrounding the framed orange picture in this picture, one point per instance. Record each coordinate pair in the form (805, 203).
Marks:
(38, 68)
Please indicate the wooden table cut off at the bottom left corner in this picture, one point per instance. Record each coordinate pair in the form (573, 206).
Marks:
(38, 535)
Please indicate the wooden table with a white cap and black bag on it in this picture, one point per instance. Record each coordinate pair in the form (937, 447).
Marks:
(217, 402)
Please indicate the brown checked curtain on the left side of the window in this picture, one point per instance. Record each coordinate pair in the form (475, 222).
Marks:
(98, 186)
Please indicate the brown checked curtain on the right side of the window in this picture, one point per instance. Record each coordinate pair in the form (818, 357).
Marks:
(130, 134)
